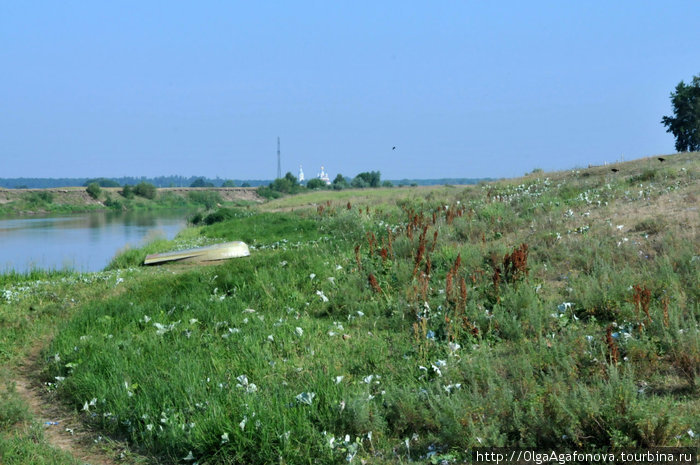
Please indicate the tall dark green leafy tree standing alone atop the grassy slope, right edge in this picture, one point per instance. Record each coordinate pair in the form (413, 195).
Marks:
(685, 125)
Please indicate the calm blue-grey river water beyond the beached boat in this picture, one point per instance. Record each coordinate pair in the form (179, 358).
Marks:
(81, 242)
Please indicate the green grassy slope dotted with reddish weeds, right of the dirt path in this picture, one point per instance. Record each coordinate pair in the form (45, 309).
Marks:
(409, 363)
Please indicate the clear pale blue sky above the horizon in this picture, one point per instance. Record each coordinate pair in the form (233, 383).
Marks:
(461, 88)
